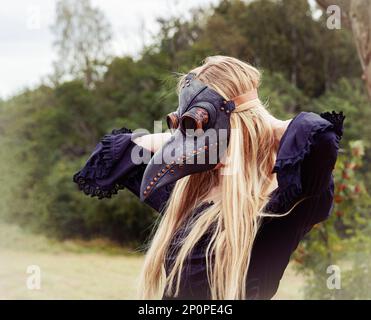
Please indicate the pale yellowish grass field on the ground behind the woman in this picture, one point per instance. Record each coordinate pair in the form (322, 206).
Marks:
(81, 270)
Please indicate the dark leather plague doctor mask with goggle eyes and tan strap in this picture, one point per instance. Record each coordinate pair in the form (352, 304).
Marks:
(200, 139)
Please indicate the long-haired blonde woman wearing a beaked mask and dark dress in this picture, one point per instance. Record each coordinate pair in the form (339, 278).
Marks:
(227, 228)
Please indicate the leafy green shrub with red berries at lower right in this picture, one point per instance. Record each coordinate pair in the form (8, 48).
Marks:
(344, 239)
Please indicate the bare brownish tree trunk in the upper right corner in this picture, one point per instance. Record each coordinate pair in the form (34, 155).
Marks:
(356, 14)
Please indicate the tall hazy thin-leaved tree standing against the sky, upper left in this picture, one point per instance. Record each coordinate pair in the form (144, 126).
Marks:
(82, 40)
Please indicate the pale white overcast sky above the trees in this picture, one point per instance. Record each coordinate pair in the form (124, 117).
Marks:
(26, 51)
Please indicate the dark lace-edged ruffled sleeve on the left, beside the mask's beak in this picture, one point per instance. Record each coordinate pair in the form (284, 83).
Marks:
(111, 168)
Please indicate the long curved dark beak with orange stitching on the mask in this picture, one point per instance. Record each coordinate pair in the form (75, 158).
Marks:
(179, 157)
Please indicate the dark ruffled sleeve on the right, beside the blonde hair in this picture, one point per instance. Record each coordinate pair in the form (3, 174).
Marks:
(307, 150)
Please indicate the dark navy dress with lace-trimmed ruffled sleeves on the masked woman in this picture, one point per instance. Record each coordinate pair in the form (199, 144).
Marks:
(305, 160)
